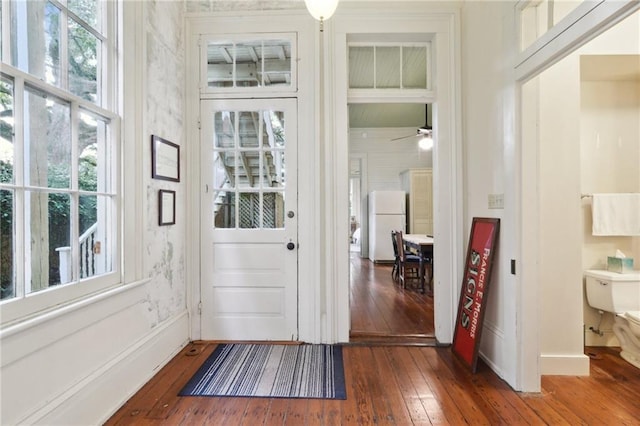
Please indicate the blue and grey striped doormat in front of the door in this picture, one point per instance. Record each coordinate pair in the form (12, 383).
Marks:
(273, 371)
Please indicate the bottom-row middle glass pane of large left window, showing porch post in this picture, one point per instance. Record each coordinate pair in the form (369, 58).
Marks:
(49, 230)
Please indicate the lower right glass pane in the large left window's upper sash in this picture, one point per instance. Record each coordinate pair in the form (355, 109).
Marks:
(83, 63)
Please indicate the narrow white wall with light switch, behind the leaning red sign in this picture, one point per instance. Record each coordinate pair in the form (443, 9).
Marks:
(489, 158)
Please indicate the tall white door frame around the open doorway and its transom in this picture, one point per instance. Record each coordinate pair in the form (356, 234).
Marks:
(443, 27)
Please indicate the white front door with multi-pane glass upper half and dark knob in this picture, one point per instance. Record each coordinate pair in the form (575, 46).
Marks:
(249, 272)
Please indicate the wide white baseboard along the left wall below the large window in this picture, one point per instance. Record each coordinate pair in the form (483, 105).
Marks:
(97, 397)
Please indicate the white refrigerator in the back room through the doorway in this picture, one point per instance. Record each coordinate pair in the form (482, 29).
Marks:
(386, 213)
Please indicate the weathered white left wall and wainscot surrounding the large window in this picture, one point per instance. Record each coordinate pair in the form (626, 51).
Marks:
(79, 363)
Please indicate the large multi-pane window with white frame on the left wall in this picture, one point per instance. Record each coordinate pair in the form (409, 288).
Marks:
(59, 145)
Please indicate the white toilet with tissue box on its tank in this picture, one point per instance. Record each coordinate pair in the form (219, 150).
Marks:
(620, 294)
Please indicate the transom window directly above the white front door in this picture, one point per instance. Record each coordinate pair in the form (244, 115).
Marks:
(241, 64)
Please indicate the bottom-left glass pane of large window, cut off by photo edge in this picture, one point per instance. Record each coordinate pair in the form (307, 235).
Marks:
(7, 252)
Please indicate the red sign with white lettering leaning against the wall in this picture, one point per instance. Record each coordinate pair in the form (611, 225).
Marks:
(475, 285)
